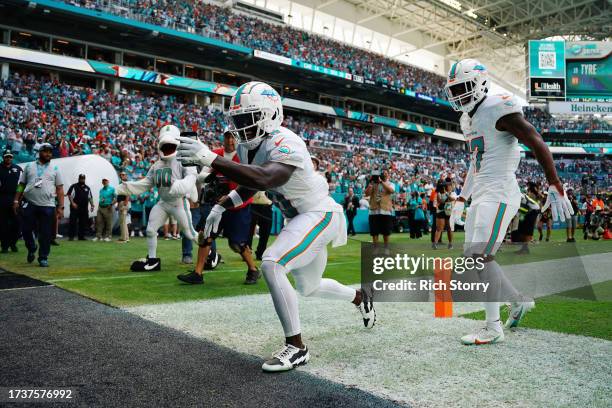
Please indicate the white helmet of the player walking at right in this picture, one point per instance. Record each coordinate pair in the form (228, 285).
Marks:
(466, 85)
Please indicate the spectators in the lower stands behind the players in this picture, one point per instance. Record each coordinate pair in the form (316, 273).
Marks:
(123, 129)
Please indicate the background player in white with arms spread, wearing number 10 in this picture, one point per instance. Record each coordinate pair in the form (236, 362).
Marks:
(174, 183)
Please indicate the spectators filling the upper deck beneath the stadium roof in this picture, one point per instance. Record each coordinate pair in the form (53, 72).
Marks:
(223, 23)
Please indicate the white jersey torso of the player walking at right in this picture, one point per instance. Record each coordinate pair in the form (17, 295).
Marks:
(495, 155)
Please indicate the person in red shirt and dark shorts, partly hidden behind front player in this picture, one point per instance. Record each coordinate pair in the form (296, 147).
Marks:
(235, 222)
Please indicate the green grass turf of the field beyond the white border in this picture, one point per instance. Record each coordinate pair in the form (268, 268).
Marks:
(101, 271)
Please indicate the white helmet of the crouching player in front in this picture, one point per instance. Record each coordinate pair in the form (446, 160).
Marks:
(255, 110)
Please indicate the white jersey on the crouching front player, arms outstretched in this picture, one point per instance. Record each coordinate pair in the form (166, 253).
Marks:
(306, 190)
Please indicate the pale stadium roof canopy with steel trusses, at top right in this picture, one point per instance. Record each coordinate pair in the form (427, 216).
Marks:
(495, 31)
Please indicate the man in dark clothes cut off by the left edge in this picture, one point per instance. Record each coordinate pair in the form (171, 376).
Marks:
(9, 222)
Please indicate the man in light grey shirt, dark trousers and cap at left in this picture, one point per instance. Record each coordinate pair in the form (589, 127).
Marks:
(40, 184)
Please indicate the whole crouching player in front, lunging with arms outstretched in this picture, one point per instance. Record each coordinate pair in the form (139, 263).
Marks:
(276, 160)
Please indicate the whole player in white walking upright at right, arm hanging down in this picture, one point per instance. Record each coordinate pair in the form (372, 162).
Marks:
(493, 125)
